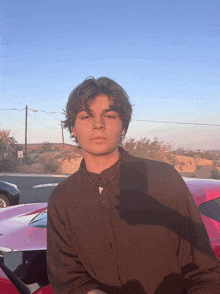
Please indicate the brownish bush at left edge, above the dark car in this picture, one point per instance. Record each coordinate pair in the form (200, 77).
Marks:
(8, 151)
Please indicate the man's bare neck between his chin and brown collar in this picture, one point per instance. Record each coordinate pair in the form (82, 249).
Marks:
(96, 164)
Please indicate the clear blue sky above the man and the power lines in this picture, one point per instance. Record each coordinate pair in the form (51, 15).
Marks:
(166, 55)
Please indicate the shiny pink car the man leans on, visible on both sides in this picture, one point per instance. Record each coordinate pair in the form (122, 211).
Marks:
(26, 225)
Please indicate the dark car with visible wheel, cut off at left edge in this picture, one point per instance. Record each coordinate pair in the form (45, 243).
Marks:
(9, 194)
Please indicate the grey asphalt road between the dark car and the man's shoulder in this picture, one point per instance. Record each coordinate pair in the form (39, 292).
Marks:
(29, 194)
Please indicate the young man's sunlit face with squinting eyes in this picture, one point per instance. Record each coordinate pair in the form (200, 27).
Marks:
(102, 123)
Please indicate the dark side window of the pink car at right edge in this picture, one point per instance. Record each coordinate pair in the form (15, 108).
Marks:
(211, 209)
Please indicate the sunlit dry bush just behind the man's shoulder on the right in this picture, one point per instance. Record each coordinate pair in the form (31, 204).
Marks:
(156, 150)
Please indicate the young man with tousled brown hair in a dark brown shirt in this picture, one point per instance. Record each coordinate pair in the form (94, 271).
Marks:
(123, 224)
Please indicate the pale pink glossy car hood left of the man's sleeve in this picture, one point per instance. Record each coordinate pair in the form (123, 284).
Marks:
(14, 225)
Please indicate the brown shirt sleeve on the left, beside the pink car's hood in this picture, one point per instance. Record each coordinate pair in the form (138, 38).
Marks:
(66, 273)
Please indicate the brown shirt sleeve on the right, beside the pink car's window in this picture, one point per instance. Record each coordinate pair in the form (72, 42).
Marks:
(198, 262)
